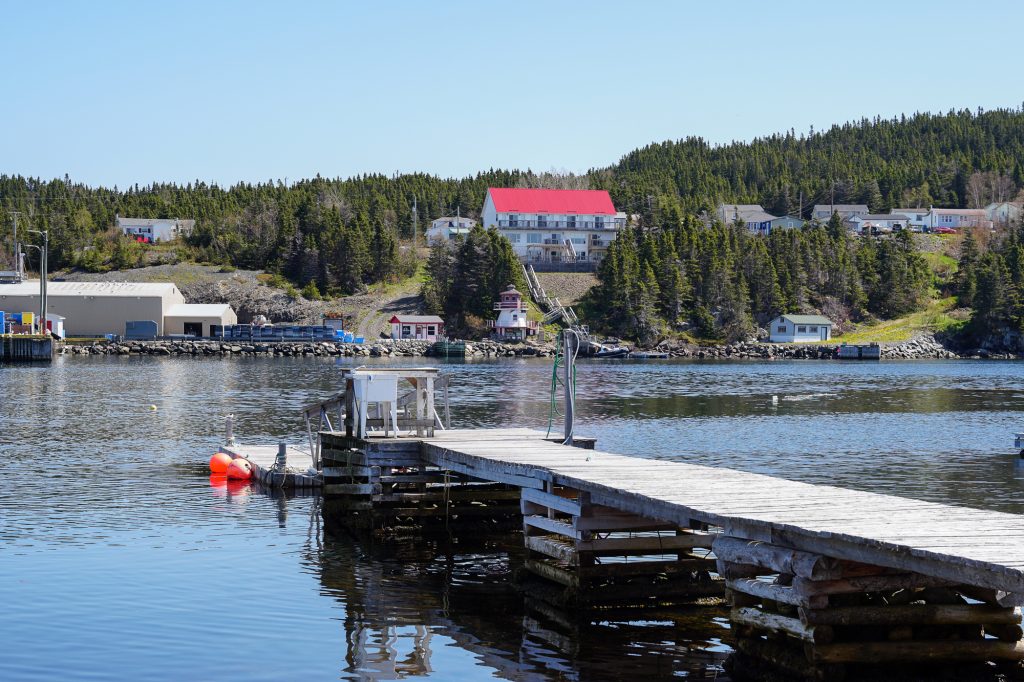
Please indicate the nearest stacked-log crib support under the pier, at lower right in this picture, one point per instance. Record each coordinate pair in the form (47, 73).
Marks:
(807, 616)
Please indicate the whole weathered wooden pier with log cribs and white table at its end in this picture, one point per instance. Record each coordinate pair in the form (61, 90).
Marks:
(822, 581)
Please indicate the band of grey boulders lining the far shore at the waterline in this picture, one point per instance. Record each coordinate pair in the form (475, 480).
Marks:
(926, 348)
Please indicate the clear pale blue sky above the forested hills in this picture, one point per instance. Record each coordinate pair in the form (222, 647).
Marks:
(125, 93)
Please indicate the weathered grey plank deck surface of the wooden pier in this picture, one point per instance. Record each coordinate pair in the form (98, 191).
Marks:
(943, 541)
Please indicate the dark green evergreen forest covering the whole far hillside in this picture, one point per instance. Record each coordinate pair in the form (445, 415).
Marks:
(335, 236)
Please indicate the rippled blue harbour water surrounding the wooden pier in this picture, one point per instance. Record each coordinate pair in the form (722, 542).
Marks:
(120, 560)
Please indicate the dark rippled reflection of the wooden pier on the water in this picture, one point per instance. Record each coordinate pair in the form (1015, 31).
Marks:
(410, 611)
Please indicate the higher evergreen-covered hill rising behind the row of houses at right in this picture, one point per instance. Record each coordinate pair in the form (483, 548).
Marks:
(912, 161)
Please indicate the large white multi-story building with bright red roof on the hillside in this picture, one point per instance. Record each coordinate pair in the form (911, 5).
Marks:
(554, 226)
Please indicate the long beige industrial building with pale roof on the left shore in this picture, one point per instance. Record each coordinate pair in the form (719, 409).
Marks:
(96, 309)
